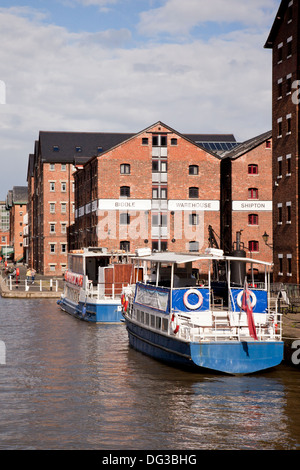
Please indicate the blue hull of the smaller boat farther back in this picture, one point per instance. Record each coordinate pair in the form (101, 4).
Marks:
(100, 312)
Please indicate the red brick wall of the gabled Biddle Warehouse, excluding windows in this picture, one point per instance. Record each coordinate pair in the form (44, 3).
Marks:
(139, 157)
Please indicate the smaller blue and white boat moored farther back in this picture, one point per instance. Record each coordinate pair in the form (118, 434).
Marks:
(93, 284)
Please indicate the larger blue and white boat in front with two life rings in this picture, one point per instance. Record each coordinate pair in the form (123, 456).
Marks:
(225, 326)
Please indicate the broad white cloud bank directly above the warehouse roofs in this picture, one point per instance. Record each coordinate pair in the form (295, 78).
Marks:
(56, 80)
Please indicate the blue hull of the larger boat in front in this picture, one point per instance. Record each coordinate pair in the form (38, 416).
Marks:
(229, 357)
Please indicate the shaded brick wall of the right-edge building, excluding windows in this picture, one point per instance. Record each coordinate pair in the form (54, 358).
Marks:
(285, 186)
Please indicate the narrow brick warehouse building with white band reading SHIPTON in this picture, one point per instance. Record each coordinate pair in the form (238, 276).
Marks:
(246, 201)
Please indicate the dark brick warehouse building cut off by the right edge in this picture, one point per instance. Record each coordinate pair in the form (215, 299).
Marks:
(284, 42)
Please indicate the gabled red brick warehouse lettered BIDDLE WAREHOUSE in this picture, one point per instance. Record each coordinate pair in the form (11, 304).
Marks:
(157, 189)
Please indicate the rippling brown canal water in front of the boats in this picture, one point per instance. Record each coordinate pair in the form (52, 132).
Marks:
(70, 385)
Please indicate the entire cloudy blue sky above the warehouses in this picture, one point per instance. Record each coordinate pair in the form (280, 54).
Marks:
(198, 66)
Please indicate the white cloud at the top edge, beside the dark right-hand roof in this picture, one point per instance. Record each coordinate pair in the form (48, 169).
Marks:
(179, 17)
